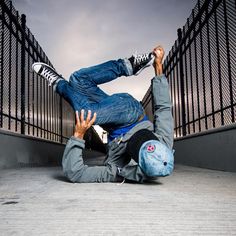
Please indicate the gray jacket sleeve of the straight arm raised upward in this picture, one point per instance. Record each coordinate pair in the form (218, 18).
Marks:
(163, 120)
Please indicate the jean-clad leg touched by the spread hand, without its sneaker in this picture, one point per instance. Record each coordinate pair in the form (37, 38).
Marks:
(112, 111)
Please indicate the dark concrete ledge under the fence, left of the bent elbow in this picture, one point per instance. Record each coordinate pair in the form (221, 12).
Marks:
(20, 150)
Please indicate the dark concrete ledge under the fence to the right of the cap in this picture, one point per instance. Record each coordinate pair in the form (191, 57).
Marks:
(213, 149)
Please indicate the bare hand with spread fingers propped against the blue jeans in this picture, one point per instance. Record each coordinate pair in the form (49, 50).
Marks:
(83, 125)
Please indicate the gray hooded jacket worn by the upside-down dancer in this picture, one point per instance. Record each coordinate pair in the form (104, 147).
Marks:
(117, 164)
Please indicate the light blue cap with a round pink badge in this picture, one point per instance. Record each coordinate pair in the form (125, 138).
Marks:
(156, 159)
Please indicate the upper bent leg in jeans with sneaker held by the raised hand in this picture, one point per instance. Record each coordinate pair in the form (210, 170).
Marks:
(87, 79)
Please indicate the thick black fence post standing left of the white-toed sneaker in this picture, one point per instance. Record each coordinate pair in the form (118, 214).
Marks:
(23, 25)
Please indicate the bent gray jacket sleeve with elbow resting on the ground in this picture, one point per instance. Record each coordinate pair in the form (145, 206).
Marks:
(75, 170)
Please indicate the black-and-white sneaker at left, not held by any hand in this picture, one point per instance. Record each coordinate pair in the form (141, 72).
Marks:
(46, 72)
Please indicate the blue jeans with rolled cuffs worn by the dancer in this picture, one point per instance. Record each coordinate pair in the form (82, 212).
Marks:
(82, 92)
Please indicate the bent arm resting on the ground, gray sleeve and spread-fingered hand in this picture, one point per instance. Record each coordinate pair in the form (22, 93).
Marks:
(72, 162)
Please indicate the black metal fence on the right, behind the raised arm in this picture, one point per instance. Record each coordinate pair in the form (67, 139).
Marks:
(201, 69)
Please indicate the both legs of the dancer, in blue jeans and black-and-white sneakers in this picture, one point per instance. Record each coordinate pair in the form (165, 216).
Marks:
(82, 91)
